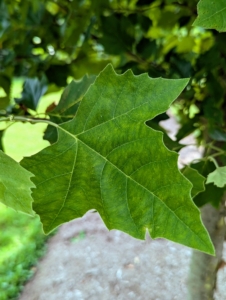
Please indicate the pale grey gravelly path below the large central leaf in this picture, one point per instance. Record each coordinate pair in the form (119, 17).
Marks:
(86, 261)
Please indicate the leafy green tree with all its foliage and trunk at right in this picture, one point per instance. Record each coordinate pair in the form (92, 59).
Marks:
(104, 157)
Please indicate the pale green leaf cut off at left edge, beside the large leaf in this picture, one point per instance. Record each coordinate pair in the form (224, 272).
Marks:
(15, 185)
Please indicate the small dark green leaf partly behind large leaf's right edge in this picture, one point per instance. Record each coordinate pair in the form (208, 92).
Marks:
(196, 179)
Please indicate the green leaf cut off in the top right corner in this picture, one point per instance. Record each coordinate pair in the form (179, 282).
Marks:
(211, 14)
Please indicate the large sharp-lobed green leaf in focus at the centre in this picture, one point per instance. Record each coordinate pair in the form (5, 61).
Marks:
(107, 159)
